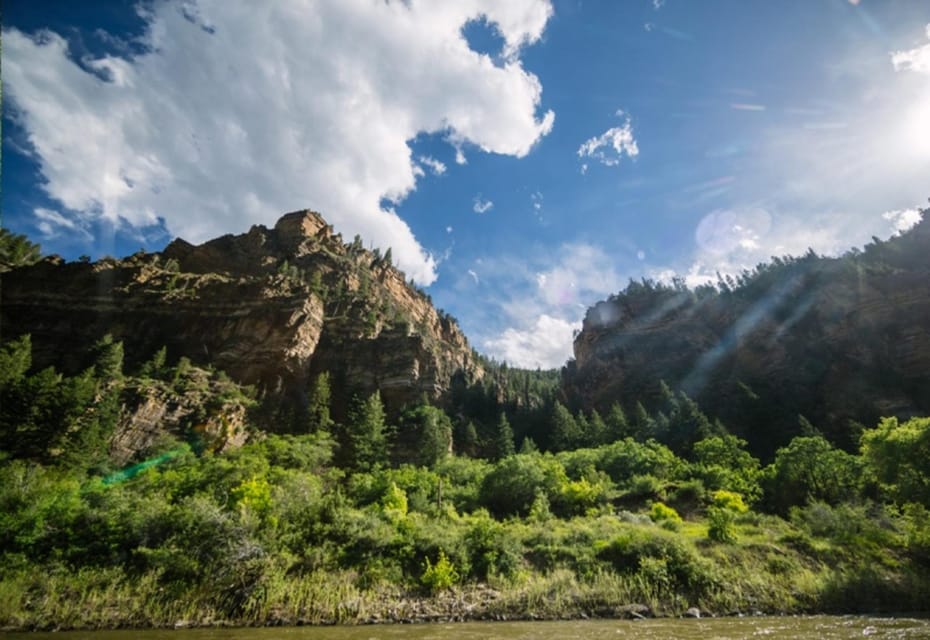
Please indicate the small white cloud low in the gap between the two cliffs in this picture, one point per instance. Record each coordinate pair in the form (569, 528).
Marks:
(543, 345)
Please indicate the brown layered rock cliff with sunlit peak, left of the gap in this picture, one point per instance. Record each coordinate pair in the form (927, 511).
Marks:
(271, 307)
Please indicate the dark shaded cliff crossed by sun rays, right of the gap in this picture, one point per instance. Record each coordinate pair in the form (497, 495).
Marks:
(834, 340)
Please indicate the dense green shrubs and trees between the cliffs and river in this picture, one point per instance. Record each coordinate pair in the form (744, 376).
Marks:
(503, 503)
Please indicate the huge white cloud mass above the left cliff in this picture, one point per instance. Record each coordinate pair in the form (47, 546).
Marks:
(239, 112)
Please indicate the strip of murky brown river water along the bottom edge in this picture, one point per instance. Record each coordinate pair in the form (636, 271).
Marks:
(770, 628)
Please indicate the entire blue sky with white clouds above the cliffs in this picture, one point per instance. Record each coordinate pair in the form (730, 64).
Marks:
(522, 159)
